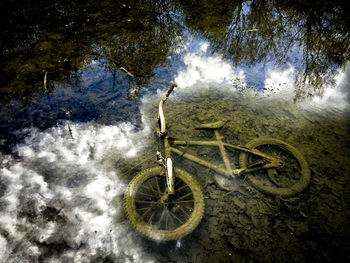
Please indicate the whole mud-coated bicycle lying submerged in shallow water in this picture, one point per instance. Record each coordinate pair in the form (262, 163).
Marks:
(165, 203)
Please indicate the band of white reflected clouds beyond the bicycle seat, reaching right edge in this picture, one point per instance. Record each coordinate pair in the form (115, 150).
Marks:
(202, 70)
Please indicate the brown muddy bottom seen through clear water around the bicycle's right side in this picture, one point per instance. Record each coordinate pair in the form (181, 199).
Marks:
(245, 225)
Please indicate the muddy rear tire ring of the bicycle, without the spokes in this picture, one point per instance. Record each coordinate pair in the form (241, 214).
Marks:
(304, 173)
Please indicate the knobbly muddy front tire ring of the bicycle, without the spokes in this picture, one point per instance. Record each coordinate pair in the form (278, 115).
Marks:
(147, 229)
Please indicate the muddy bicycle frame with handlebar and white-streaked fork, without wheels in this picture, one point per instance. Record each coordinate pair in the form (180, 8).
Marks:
(267, 162)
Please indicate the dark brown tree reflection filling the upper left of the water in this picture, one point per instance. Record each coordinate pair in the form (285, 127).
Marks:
(60, 37)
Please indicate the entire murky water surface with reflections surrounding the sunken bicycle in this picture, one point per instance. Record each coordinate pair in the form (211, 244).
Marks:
(80, 86)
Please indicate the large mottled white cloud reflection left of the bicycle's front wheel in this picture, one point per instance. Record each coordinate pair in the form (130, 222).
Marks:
(62, 197)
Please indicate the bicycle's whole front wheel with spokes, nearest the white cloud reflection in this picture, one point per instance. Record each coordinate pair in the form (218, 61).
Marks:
(157, 215)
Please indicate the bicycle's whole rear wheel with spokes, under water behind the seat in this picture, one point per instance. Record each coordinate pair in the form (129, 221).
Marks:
(289, 179)
